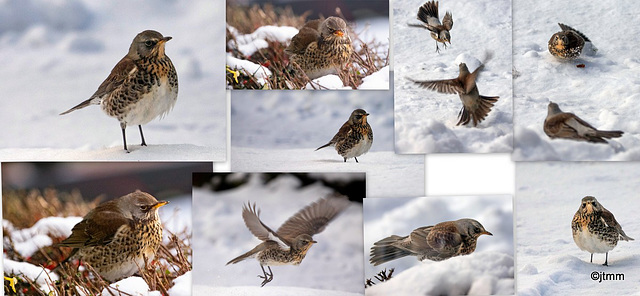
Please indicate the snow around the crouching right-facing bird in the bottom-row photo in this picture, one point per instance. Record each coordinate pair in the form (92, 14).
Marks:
(489, 270)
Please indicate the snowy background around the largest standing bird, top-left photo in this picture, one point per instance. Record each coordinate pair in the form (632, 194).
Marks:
(55, 54)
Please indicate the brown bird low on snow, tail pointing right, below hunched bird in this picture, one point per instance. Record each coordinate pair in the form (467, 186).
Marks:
(566, 125)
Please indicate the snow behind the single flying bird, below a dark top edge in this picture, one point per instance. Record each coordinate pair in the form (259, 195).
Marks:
(333, 266)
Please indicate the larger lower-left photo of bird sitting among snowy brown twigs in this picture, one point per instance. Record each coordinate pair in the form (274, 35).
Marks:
(91, 228)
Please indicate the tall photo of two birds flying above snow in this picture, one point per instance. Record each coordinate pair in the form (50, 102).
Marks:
(453, 76)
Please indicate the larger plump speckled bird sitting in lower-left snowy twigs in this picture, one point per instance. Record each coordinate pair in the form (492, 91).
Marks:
(118, 236)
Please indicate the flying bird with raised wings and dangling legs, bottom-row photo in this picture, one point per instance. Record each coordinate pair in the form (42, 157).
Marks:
(291, 242)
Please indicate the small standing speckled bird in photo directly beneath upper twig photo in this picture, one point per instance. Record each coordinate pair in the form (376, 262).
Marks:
(354, 138)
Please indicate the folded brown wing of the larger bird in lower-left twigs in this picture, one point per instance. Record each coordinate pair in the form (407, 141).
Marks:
(97, 228)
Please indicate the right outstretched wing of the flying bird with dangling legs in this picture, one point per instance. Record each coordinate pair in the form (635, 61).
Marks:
(313, 218)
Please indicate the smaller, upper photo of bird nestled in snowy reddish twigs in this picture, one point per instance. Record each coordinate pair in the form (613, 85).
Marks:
(311, 45)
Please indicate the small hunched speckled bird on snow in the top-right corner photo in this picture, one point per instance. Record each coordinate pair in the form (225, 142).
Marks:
(568, 43)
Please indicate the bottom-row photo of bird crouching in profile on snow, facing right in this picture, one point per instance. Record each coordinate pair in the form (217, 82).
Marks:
(439, 245)
